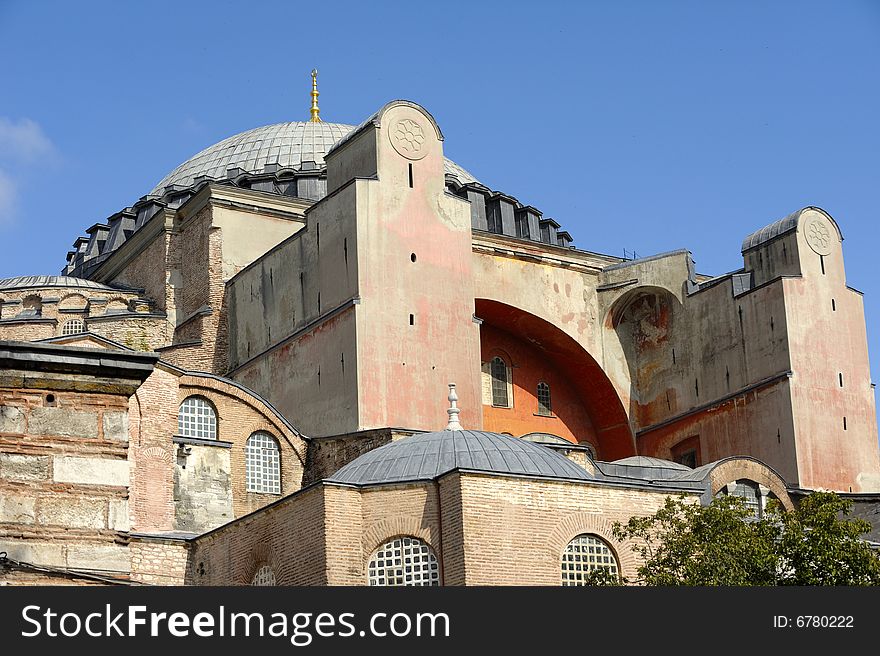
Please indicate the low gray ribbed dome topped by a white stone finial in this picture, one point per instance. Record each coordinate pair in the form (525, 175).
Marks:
(430, 455)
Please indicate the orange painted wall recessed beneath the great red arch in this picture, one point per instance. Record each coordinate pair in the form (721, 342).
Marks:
(529, 367)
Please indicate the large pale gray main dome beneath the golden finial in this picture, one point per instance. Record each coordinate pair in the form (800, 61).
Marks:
(285, 144)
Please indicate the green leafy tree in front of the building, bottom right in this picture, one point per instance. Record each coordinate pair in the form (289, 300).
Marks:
(685, 543)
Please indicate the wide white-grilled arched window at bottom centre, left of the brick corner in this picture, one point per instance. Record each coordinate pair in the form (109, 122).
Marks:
(404, 561)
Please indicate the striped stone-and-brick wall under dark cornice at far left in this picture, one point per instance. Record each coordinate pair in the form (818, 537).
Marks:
(64, 479)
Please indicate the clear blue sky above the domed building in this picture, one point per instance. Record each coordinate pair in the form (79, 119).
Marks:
(649, 126)
